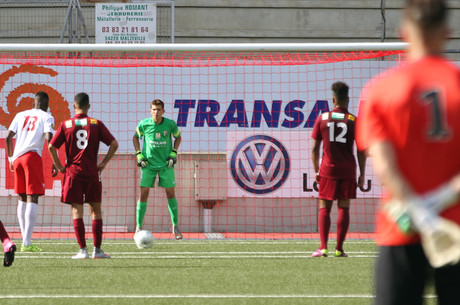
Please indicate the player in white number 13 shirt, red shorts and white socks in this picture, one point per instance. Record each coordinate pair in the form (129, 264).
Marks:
(31, 128)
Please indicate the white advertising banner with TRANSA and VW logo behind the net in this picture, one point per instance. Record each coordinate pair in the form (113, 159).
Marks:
(254, 114)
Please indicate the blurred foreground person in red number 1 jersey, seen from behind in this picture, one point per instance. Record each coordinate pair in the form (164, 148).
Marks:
(409, 124)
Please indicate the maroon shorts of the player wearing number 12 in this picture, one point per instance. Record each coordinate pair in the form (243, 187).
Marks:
(332, 189)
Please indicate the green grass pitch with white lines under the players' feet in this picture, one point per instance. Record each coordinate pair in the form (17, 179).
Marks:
(192, 272)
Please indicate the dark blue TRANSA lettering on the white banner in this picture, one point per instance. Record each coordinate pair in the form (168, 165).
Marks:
(207, 112)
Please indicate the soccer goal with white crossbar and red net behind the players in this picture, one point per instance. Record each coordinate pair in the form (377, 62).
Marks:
(245, 113)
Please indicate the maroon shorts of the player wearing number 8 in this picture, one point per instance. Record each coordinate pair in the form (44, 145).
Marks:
(81, 189)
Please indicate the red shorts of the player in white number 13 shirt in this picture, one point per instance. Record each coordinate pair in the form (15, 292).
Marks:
(28, 174)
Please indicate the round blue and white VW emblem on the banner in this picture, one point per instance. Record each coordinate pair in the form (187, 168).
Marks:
(260, 164)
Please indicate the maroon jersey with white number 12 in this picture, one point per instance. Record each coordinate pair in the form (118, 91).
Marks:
(337, 131)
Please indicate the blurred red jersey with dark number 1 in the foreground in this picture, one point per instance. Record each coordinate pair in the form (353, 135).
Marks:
(417, 109)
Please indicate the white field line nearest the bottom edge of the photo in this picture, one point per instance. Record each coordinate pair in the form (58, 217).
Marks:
(196, 296)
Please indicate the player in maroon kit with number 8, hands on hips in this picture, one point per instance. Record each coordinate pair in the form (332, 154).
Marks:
(82, 183)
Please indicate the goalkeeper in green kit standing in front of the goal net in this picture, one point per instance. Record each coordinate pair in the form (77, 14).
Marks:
(157, 158)
